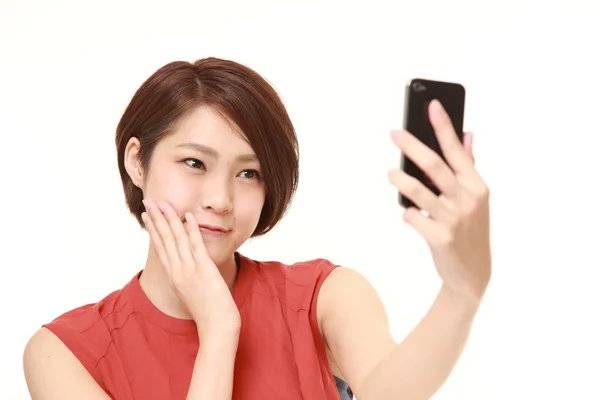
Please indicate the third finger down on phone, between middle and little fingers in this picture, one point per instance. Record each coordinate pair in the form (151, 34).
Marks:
(420, 195)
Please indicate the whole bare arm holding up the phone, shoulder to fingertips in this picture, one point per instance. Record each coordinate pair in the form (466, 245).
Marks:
(456, 226)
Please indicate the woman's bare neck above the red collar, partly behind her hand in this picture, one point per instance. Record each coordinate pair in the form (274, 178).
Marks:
(155, 284)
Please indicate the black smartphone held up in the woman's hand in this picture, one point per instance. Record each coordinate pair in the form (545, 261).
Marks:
(419, 93)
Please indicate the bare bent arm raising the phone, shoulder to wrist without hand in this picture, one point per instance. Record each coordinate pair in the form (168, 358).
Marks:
(354, 324)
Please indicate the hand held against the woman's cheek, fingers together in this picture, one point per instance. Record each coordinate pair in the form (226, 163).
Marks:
(192, 274)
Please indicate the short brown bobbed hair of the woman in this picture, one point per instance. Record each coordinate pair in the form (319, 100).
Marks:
(232, 89)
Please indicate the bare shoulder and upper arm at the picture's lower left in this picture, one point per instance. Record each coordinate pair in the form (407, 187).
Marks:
(52, 371)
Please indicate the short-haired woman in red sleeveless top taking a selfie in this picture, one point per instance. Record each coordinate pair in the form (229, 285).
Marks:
(208, 158)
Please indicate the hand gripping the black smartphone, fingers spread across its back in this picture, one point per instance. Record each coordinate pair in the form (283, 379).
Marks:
(457, 225)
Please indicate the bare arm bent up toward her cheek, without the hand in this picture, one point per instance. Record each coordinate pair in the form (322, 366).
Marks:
(52, 372)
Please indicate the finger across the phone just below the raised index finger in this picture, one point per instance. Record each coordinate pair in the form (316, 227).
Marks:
(428, 161)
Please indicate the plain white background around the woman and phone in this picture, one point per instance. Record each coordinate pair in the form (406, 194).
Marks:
(531, 69)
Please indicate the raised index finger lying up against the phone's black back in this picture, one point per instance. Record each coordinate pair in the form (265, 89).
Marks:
(452, 148)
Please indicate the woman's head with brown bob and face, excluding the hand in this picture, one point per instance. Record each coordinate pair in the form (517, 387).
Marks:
(214, 139)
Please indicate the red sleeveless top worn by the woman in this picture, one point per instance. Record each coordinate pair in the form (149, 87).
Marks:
(134, 351)
